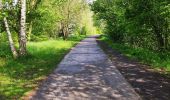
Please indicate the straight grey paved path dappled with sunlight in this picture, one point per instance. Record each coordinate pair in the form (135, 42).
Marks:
(86, 74)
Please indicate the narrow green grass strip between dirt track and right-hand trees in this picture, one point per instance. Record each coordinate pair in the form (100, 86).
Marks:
(158, 60)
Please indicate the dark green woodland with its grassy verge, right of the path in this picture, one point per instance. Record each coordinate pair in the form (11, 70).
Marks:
(139, 28)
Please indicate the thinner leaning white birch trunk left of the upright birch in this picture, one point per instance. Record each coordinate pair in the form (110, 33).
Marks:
(11, 43)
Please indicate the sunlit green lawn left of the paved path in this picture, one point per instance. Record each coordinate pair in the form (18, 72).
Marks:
(18, 77)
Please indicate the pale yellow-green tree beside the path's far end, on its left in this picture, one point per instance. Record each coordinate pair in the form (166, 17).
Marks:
(71, 12)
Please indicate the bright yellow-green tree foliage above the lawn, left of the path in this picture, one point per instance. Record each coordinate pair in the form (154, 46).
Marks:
(48, 18)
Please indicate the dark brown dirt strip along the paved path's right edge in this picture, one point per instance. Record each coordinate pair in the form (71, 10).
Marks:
(149, 83)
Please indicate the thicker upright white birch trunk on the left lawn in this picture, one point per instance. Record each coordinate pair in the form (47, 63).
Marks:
(22, 35)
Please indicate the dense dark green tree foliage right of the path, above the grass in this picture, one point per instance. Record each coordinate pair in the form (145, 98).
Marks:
(139, 23)
